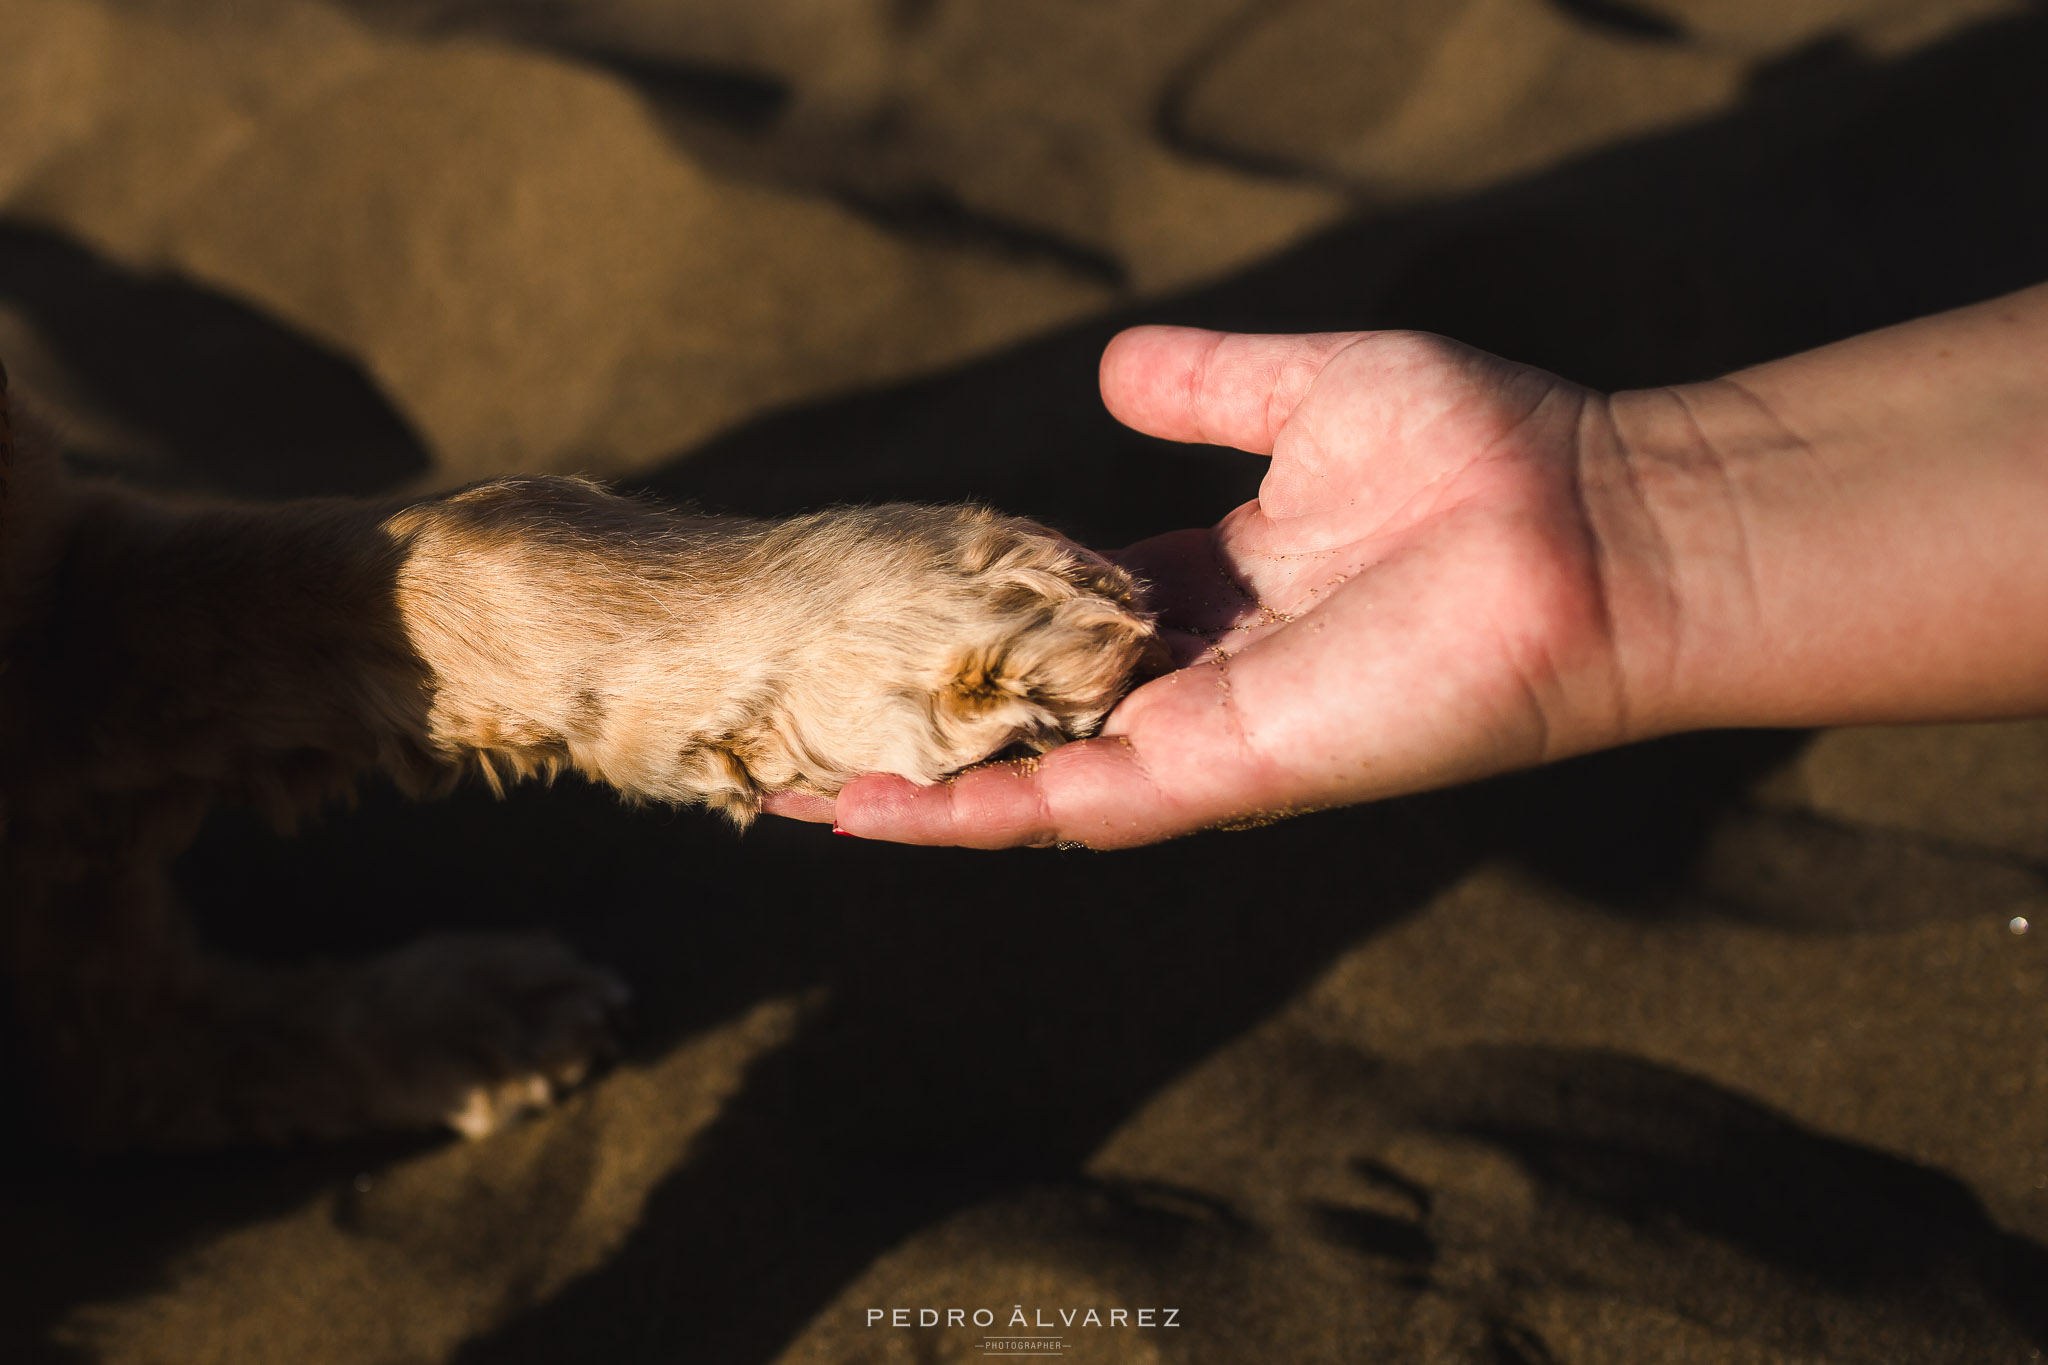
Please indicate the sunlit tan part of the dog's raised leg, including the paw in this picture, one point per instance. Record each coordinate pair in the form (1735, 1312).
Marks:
(722, 660)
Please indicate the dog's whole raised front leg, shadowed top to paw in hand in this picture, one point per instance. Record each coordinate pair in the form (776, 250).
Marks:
(531, 625)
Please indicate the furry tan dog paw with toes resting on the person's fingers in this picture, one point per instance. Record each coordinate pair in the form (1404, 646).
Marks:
(921, 642)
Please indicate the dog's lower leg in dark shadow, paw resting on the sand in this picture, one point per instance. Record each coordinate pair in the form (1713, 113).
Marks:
(140, 1041)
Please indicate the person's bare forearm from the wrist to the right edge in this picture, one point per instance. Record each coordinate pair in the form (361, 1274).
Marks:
(1852, 535)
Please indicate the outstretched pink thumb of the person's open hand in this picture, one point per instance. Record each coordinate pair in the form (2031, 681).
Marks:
(1218, 388)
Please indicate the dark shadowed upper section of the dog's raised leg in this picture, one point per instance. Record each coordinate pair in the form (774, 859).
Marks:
(204, 644)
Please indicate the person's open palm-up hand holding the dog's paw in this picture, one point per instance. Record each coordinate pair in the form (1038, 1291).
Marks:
(1418, 597)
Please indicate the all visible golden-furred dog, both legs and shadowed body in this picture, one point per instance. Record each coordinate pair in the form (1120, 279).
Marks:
(163, 656)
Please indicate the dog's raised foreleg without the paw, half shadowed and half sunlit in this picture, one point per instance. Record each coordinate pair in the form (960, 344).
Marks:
(212, 642)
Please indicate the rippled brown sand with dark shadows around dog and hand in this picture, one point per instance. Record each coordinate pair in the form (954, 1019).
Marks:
(1725, 1049)
